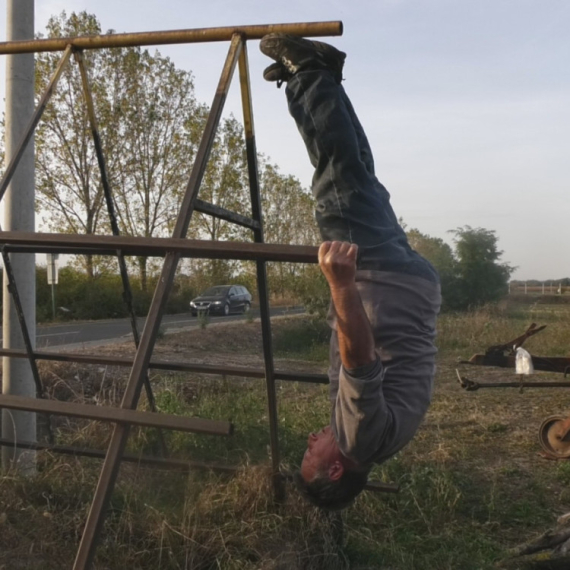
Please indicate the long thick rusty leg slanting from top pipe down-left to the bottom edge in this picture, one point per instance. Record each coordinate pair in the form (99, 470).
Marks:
(86, 552)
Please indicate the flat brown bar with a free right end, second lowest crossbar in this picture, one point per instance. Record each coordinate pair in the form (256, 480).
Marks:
(117, 415)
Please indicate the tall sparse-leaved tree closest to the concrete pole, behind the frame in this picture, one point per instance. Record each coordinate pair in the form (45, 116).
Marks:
(69, 191)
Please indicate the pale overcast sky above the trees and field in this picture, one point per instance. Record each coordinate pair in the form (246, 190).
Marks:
(466, 104)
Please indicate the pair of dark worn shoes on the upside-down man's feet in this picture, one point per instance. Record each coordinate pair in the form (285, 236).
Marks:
(297, 54)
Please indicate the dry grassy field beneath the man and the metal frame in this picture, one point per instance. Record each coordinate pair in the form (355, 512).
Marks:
(472, 483)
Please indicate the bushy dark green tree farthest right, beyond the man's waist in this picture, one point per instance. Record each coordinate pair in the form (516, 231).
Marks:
(482, 278)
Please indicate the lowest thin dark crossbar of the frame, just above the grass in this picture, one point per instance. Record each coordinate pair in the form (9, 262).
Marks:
(158, 462)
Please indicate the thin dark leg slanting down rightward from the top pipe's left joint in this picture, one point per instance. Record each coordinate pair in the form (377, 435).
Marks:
(127, 292)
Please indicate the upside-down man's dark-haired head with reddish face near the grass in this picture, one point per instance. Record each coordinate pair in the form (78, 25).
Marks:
(328, 479)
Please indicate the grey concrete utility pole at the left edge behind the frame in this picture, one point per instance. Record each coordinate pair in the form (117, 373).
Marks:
(17, 376)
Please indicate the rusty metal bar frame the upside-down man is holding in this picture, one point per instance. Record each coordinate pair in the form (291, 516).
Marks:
(172, 250)
